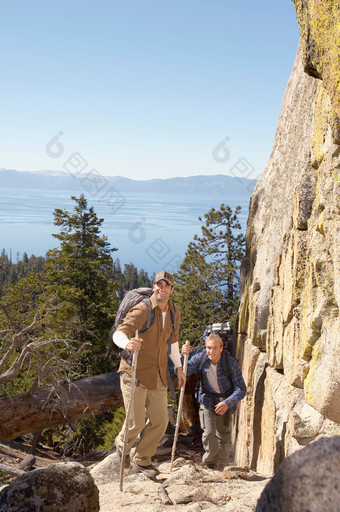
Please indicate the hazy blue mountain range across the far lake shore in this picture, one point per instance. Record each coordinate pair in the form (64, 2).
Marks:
(59, 180)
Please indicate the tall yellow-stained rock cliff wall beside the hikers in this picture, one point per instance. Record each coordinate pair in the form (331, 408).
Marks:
(289, 328)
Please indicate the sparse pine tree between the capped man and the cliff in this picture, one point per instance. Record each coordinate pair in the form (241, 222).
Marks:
(207, 288)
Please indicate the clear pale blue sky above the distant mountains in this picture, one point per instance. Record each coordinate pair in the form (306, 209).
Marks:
(144, 89)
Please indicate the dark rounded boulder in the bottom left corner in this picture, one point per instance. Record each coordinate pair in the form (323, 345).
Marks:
(61, 487)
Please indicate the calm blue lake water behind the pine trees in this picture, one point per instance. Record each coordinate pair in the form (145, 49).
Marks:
(150, 230)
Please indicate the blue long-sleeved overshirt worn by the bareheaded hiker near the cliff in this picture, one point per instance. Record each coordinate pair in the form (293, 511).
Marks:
(234, 384)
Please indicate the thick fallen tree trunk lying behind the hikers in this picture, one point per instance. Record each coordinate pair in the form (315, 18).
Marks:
(23, 414)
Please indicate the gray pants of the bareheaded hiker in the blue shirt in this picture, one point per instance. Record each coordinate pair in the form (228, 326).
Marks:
(215, 437)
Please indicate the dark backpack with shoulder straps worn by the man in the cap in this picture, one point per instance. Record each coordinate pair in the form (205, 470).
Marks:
(131, 299)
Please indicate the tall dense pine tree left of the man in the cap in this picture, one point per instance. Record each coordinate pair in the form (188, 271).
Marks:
(81, 271)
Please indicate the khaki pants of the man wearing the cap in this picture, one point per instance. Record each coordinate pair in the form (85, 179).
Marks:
(149, 413)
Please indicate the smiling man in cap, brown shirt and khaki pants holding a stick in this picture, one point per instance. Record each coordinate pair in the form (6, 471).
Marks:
(149, 412)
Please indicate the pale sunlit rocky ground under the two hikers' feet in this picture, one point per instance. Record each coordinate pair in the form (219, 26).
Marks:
(188, 488)
